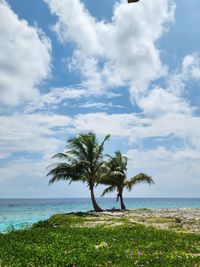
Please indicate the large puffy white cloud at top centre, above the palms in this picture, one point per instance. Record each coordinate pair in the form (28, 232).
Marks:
(122, 52)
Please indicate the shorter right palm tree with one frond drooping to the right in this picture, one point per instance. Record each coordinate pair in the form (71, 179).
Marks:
(116, 177)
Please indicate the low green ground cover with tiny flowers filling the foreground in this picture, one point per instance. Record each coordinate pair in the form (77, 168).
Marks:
(64, 241)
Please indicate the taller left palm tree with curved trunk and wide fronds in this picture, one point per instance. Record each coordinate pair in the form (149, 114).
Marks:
(83, 161)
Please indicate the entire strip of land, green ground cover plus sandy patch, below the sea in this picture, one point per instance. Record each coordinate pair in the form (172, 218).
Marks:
(140, 237)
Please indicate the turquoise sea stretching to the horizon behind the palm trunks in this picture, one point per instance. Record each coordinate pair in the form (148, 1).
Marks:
(19, 213)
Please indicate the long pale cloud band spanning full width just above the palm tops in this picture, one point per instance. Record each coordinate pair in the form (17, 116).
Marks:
(45, 134)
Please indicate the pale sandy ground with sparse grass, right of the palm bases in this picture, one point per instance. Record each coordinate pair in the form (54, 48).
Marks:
(179, 219)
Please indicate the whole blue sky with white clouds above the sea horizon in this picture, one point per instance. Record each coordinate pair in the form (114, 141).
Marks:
(129, 70)
